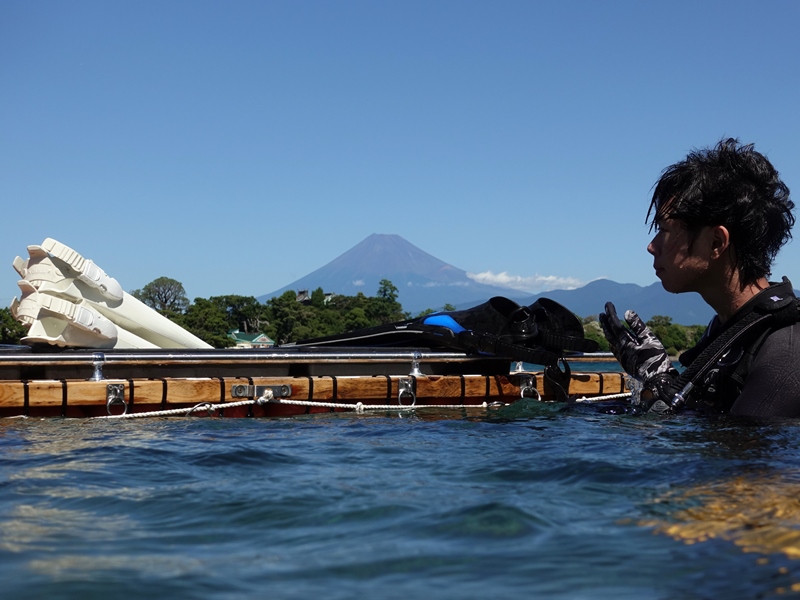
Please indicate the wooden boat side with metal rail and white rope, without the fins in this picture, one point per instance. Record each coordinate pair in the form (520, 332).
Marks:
(268, 382)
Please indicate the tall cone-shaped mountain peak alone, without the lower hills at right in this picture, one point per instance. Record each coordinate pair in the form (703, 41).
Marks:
(422, 280)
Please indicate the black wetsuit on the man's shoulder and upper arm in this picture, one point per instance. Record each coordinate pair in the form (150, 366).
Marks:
(765, 381)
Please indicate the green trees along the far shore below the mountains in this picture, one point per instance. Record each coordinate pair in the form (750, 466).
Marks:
(285, 319)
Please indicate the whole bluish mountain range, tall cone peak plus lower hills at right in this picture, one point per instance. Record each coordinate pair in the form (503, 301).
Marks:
(423, 281)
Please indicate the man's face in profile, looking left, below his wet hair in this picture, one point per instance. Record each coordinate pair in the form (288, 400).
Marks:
(679, 267)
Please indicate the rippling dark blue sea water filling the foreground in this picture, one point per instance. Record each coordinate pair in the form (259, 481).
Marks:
(540, 500)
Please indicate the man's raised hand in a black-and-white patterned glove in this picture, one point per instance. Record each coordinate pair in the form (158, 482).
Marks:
(639, 352)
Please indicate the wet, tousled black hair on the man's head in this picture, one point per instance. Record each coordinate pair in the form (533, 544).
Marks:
(731, 185)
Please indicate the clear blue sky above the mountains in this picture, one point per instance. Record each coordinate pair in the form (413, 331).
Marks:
(237, 146)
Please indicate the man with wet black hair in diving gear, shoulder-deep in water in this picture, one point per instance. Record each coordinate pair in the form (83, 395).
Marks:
(720, 215)
